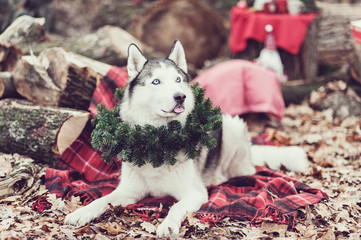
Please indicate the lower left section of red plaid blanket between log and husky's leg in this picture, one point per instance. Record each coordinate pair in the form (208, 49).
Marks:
(80, 171)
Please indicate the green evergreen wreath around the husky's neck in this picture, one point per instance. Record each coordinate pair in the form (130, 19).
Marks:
(156, 145)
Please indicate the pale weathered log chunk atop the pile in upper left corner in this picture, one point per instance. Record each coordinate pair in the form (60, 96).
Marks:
(24, 31)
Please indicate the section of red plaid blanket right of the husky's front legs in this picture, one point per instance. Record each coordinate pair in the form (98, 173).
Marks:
(266, 194)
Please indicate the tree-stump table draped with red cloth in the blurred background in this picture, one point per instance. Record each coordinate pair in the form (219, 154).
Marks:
(296, 39)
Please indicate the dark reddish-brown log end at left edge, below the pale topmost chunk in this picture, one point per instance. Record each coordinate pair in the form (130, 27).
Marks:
(9, 55)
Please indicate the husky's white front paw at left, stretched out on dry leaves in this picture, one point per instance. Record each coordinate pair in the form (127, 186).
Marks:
(82, 216)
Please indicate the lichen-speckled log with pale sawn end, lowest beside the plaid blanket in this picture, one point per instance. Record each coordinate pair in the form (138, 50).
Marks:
(40, 132)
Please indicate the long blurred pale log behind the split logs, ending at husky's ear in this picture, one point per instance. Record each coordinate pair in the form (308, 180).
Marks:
(109, 44)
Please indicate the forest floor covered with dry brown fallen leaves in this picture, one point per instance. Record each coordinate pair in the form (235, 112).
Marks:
(334, 151)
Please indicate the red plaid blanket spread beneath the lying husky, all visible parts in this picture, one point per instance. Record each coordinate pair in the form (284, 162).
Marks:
(80, 171)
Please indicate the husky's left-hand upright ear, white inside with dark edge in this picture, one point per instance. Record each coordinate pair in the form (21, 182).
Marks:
(136, 61)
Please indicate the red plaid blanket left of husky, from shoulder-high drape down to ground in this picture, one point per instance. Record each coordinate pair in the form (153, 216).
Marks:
(80, 171)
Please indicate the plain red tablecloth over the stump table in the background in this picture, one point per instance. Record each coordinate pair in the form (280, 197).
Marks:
(289, 30)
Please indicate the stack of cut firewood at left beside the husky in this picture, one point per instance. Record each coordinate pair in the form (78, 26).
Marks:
(45, 97)
